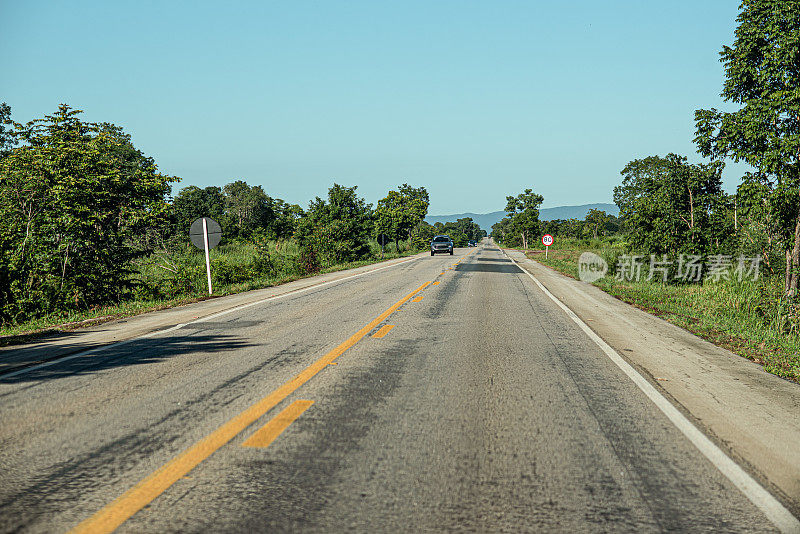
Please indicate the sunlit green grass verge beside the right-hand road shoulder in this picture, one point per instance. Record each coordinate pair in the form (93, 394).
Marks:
(741, 316)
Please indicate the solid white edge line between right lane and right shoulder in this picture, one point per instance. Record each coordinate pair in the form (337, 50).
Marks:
(760, 497)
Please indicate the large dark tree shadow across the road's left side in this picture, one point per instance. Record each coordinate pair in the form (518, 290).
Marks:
(136, 352)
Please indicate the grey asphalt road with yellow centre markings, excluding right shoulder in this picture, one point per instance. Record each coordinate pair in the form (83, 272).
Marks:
(484, 408)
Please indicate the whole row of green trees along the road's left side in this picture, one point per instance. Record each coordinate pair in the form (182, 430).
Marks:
(80, 205)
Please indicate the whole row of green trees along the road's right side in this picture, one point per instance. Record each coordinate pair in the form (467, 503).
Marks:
(670, 206)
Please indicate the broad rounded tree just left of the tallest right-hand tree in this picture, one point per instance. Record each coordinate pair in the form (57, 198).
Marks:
(671, 206)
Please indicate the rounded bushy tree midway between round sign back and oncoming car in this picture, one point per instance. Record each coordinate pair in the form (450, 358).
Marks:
(338, 230)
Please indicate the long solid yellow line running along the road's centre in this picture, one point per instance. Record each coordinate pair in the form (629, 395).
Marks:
(136, 498)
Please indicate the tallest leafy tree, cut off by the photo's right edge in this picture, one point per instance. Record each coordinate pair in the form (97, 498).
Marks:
(762, 75)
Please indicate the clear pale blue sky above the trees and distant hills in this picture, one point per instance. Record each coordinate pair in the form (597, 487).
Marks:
(474, 100)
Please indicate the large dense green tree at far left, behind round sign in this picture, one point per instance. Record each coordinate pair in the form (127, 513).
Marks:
(71, 196)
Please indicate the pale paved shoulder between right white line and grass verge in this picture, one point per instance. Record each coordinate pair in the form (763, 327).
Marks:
(749, 413)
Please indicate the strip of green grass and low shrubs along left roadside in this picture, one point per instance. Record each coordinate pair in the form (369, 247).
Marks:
(165, 281)
